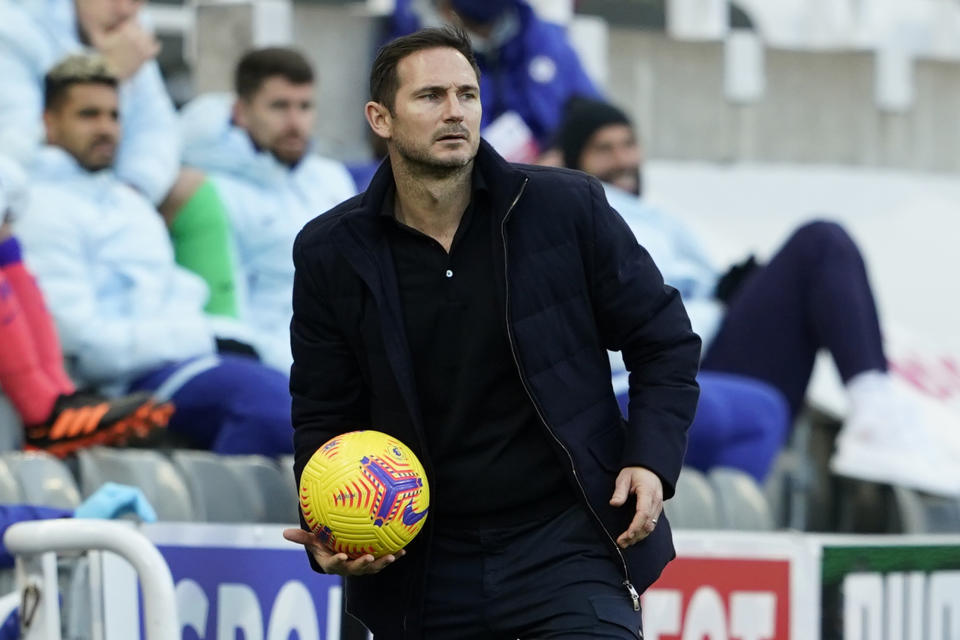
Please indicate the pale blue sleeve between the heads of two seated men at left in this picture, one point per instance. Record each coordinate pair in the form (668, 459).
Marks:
(149, 154)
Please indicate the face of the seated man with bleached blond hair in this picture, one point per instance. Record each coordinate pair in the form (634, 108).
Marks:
(86, 124)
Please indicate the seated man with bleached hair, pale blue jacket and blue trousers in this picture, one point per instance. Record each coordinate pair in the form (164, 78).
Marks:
(128, 315)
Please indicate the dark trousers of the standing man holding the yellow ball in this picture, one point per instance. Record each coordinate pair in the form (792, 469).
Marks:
(555, 578)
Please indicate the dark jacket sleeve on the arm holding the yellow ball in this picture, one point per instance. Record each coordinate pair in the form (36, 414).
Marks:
(326, 386)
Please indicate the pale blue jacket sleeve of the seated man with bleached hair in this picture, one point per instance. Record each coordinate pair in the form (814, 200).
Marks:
(107, 347)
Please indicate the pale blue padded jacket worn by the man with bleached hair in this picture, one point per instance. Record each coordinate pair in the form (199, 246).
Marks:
(104, 261)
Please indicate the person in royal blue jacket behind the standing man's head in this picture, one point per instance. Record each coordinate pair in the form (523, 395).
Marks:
(528, 69)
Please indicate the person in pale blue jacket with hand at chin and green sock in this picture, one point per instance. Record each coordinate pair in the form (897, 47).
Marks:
(34, 36)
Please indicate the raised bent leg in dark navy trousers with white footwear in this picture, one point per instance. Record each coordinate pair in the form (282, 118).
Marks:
(815, 294)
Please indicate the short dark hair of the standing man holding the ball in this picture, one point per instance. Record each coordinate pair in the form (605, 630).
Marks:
(384, 80)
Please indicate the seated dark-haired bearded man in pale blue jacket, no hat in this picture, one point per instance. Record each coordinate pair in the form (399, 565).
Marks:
(255, 146)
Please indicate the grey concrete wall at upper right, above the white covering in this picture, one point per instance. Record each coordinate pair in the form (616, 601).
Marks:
(817, 107)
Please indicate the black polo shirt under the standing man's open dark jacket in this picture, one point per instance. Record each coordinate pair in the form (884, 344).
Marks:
(495, 463)
